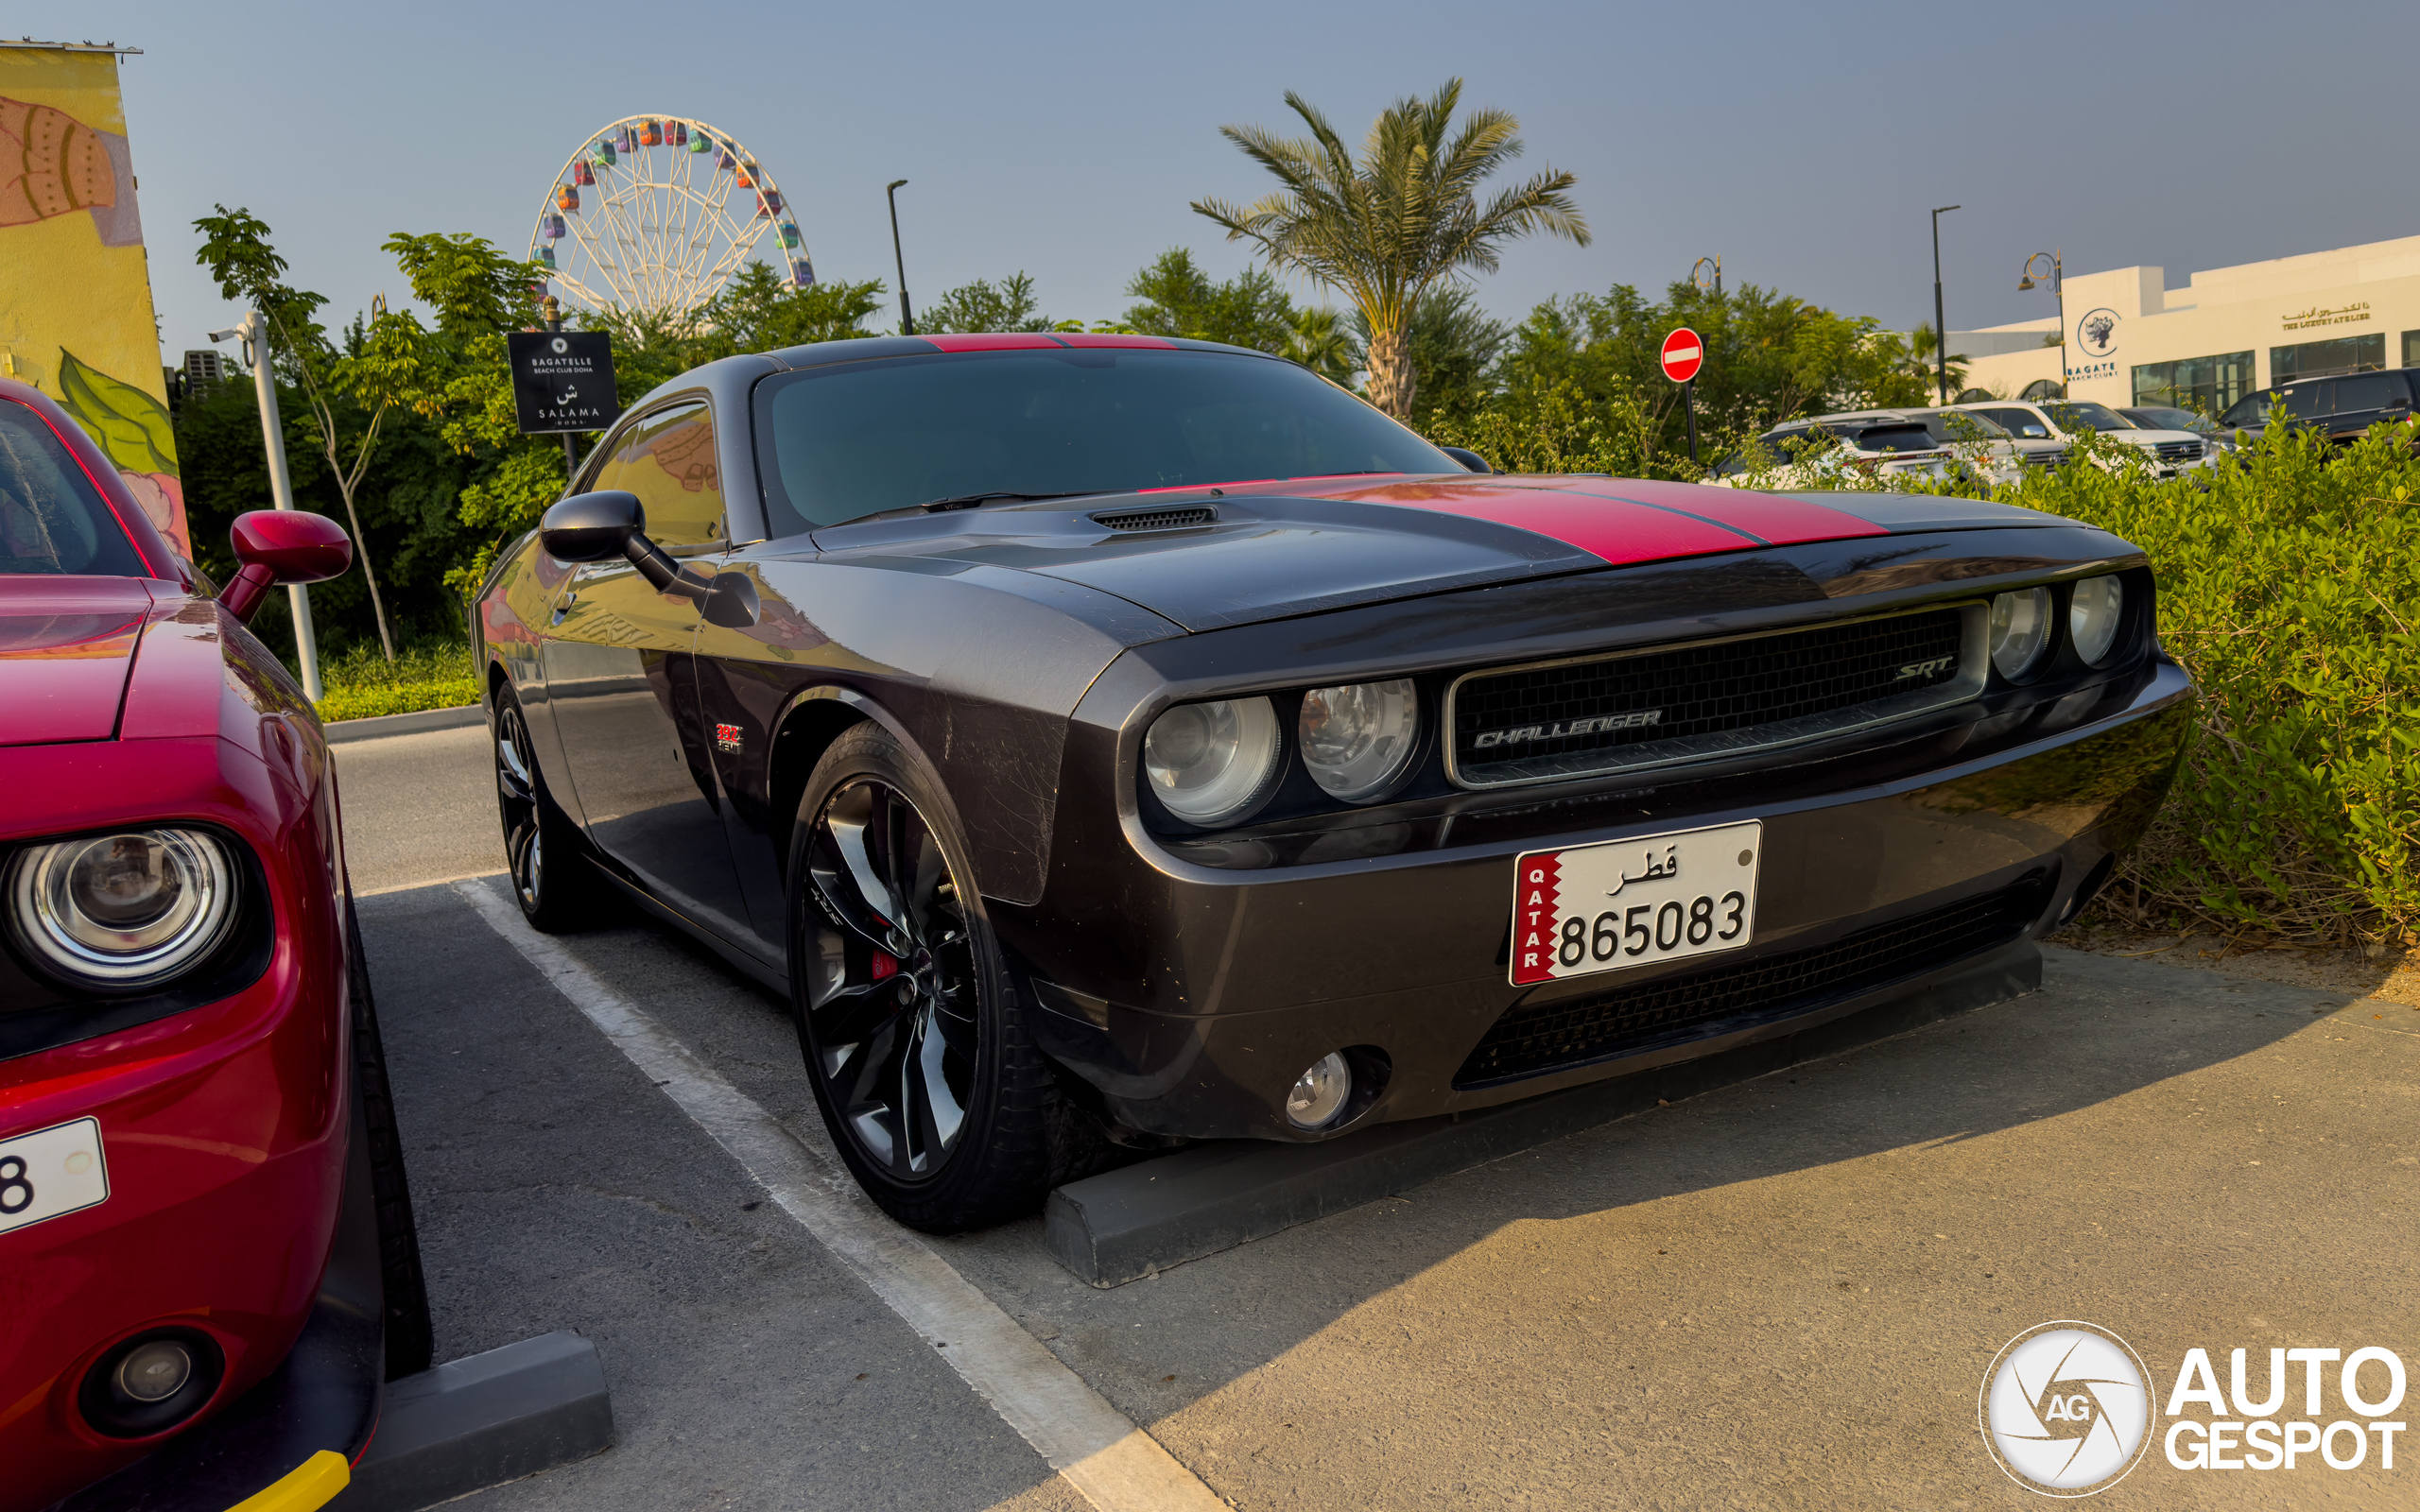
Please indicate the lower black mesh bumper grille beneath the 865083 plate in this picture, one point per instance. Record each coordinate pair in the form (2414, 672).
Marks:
(1572, 1032)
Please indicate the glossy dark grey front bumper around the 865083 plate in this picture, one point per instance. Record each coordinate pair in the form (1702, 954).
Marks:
(1192, 1000)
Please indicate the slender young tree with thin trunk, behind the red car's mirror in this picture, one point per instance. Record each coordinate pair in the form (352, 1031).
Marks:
(350, 391)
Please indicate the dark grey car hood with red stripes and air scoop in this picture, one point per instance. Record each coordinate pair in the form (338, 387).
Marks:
(1308, 546)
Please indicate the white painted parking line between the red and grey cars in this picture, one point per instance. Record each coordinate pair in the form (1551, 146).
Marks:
(1112, 1462)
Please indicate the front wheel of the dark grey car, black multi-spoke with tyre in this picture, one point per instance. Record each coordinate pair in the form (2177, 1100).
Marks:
(916, 1041)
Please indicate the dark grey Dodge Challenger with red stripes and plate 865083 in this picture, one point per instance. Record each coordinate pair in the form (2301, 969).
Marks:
(1114, 739)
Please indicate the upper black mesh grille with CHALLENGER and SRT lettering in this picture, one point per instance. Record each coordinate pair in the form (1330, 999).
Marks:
(1707, 700)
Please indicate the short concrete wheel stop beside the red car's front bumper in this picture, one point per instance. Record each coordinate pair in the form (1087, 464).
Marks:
(485, 1421)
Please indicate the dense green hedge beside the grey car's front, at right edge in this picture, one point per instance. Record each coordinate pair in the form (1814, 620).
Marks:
(2291, 589)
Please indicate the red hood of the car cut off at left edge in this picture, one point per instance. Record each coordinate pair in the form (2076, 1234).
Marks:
(67, 650)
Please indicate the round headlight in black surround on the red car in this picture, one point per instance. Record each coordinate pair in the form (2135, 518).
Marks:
(125, 911)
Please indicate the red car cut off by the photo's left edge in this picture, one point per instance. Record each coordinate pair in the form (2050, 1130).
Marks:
(207, 1254)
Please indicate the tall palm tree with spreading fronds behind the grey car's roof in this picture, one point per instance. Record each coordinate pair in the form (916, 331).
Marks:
(1385, 229)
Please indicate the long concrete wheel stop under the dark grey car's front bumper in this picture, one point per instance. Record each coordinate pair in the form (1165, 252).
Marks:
(1139, 1220)
